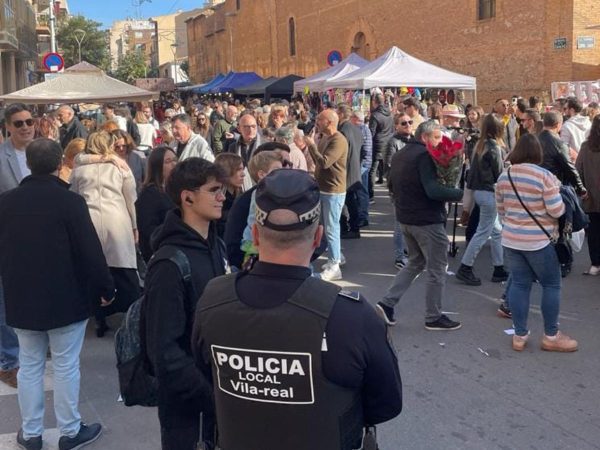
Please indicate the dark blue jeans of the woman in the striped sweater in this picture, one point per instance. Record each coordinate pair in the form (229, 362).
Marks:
(525, 267)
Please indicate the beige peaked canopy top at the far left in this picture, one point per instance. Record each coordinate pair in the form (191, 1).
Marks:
(81, 83)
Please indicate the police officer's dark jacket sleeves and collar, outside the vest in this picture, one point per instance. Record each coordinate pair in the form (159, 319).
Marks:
(359, 354)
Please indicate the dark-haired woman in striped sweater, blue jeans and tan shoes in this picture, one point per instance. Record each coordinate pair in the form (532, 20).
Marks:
(527, 248)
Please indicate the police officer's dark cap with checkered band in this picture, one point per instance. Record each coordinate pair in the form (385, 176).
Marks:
(288, 189)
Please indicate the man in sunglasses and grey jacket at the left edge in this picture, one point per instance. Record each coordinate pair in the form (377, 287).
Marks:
(13, 168)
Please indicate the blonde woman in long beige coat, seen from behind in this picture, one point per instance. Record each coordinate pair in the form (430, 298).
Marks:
(110, 194)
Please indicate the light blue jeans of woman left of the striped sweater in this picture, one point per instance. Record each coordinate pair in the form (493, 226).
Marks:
(489, 225)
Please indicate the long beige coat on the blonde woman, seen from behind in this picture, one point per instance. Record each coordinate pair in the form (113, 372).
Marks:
(110, 195)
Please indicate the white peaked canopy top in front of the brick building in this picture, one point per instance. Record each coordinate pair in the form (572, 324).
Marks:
(397, 68)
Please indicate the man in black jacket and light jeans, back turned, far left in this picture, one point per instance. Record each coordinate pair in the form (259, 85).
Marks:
(48, 290)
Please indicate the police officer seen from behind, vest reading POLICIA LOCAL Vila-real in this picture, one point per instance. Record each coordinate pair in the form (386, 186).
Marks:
(296, 363)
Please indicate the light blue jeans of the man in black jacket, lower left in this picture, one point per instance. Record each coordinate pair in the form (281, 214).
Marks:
(65, 345)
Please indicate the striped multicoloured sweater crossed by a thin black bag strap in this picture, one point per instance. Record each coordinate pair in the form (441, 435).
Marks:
(539, 190)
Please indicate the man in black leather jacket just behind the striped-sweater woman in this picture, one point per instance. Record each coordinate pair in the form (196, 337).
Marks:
(556, 153)
